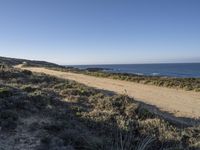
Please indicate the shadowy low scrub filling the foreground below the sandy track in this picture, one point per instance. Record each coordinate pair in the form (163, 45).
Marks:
(41, 112)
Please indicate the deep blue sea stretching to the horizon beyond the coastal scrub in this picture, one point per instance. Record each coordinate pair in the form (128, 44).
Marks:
(171, 70)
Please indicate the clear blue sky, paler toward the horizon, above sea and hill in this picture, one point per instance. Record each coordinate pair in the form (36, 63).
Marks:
(101, 31)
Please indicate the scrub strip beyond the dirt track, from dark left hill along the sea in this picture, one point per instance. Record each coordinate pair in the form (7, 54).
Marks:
(188, 84)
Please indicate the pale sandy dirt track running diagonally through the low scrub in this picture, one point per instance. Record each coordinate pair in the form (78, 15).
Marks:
(178, 102)
